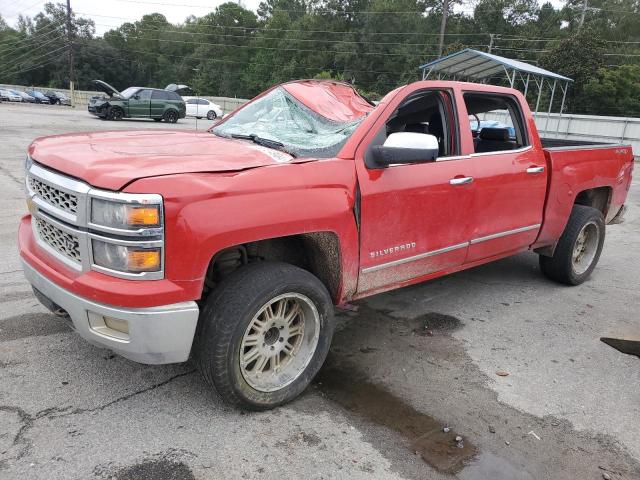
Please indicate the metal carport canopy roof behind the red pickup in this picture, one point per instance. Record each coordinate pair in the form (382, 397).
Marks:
(477, 66)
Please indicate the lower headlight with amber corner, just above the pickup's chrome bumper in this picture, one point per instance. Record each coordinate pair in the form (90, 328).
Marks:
(130, 259)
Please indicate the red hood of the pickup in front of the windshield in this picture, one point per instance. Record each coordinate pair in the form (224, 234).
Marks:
(113, 159)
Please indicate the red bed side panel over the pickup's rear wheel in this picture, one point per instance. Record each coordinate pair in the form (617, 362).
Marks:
(577, 167)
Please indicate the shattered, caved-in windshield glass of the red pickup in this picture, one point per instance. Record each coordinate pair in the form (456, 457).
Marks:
(279, 117)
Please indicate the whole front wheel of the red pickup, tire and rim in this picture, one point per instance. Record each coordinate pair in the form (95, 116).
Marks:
(263, 335)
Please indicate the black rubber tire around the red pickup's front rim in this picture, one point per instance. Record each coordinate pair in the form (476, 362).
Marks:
(226, 316)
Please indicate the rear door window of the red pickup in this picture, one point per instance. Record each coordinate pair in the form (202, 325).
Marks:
(496, 122)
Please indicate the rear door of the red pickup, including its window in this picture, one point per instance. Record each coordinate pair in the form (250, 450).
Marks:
(510, 177)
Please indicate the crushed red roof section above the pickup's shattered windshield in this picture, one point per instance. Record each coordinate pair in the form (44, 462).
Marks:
(336, 101)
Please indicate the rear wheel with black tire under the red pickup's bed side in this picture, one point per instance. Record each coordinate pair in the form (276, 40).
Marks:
(561, 267)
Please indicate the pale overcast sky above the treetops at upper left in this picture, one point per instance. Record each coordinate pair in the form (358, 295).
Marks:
(101, 11)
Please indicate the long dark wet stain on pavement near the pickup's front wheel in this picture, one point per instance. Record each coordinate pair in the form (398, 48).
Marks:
(375, 404)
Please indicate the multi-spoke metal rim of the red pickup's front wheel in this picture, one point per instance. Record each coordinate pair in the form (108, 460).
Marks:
(279, 342)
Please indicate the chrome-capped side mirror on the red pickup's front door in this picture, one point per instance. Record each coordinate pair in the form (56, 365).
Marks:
(406, 147)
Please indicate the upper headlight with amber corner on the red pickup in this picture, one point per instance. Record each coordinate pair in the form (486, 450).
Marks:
(125, 216)
